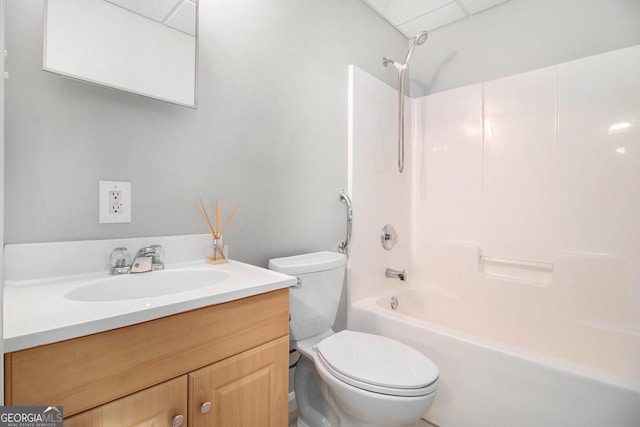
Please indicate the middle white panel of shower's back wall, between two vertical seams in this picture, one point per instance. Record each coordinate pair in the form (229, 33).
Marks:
(519, 166)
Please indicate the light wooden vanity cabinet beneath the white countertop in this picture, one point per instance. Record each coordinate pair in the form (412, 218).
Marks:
(222, 365)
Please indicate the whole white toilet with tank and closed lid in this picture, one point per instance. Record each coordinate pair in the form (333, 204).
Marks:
(348, 378)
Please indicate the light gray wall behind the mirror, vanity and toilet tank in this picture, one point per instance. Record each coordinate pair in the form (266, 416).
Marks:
(270, 130)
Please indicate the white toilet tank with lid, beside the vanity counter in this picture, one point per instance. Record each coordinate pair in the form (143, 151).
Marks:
(314, 303)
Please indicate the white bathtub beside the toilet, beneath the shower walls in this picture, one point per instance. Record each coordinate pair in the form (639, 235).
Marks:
(495, 377)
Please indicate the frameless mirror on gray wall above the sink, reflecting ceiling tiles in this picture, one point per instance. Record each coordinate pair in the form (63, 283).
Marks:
(148, 47)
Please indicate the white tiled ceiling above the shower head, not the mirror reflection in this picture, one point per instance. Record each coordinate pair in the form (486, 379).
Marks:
(412, 16)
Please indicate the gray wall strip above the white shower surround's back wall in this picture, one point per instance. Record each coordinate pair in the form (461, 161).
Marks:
(521, 35)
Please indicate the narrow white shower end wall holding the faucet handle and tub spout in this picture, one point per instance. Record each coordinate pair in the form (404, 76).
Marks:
(381, 195)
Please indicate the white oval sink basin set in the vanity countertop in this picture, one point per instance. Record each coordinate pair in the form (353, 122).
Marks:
(145, 285)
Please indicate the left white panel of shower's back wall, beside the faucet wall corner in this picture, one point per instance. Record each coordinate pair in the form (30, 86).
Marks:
(447, 180)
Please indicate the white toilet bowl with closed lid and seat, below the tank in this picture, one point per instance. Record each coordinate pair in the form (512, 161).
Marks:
(372, 380)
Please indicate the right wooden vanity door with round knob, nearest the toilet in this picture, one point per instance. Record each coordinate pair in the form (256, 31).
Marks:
(246, 390)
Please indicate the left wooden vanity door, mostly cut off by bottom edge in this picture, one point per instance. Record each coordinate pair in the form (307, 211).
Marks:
(157, 406)
